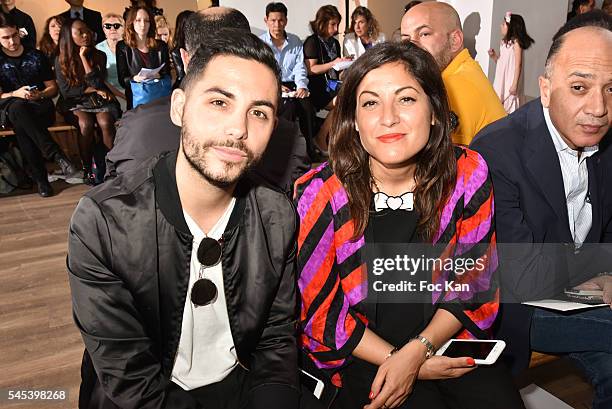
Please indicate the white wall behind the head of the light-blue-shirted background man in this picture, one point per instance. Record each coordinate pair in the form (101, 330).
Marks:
(300, 12)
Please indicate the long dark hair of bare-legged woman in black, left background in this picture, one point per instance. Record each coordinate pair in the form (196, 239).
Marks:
(69, 60)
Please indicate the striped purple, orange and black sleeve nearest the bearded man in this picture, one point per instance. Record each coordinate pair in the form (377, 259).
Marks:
(330, 274)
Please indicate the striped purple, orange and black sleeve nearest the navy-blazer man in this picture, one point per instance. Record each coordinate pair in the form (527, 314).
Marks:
(471, 237)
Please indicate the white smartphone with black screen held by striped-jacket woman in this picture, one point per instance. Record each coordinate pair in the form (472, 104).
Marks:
(484, 352)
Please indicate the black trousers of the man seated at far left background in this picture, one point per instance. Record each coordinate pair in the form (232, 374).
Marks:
(30, 120)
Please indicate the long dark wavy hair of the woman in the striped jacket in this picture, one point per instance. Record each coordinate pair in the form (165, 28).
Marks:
(436, 166)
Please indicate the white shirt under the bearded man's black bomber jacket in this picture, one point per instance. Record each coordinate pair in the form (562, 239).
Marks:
(206, 352)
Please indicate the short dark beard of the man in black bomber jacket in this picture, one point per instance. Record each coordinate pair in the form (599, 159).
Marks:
(194, 153)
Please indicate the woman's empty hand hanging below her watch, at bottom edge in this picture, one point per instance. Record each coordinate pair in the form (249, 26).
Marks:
(395, 377)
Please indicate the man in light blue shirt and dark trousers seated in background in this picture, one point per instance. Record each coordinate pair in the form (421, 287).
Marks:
(289, 54)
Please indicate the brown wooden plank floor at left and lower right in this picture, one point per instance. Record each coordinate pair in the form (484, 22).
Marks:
(40, 348)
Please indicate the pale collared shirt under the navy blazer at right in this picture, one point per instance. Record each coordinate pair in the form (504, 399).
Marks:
(575, 182)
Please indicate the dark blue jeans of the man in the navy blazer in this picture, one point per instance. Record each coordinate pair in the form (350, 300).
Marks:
(586, 337)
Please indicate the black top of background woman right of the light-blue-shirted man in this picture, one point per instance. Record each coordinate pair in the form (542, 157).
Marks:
(314, 49)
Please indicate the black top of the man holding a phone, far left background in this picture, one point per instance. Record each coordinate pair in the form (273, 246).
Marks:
(30, 68)
